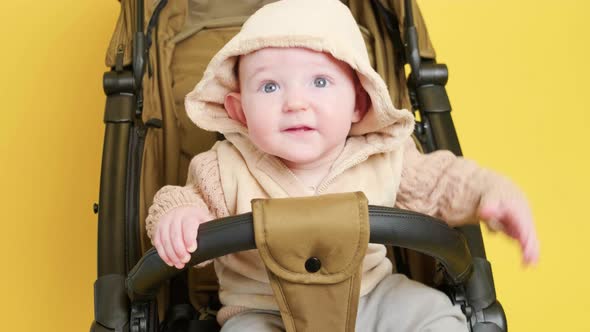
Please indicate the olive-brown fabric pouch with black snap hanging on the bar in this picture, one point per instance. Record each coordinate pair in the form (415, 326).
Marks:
(315, 275)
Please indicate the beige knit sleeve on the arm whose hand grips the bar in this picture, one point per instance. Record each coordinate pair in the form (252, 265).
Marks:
(203, 189)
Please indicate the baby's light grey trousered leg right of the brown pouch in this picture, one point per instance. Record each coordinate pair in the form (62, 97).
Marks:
(401, 304)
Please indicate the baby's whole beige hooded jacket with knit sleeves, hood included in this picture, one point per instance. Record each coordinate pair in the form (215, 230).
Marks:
(379, 157)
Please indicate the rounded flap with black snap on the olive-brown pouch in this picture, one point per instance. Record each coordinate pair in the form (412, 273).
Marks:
(312, 240)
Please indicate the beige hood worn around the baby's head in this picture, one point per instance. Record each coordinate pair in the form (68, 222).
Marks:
(320, 25)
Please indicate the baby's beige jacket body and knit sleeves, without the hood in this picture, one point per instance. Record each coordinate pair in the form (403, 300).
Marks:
(219, 180)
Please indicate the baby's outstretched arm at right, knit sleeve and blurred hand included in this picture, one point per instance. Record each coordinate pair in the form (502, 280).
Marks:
(459, 192)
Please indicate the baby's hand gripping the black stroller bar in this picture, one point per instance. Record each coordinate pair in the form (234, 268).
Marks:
(175, 236)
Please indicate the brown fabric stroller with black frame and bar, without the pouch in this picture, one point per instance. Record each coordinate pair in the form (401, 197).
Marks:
(149, 142)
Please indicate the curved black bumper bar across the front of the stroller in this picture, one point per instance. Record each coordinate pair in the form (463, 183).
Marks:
(390, 226)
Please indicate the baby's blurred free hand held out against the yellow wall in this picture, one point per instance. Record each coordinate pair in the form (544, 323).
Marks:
(510, 213)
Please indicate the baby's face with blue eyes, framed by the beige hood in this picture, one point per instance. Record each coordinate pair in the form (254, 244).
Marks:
(298, 104)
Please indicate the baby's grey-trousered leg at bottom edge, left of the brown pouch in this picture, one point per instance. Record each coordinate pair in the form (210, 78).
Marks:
(255, 321)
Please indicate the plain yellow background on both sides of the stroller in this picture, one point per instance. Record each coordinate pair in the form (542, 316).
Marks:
(519, 74)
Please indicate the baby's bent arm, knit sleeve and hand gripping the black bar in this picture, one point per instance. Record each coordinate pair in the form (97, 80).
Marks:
(177, 212)
